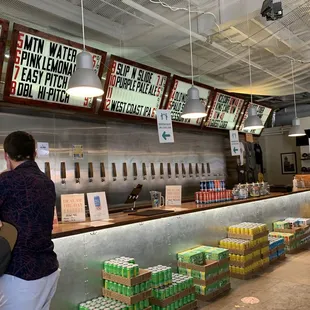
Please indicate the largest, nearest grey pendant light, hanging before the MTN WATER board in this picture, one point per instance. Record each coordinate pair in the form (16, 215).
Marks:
(84, 82)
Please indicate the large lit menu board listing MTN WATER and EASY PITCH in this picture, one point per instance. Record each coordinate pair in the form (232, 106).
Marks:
(40, 67)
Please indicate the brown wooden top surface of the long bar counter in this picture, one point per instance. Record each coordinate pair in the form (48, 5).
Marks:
(120, 219)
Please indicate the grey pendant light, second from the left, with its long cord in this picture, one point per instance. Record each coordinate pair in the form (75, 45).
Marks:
(193, 107)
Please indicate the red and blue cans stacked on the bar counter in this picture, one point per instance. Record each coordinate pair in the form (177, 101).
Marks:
(212, 191)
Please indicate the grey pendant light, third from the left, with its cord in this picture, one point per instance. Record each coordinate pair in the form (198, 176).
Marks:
(253, 121)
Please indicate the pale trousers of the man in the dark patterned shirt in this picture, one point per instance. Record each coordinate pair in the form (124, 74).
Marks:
(17, 294)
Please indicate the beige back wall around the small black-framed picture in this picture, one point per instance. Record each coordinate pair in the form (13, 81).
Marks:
(273, 145)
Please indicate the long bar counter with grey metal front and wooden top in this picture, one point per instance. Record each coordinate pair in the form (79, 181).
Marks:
(81, 248)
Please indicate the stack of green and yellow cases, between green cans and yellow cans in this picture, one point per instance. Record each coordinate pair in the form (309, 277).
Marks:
(209, 266)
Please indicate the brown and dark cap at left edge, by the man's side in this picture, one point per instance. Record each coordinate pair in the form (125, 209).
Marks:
(8, 237)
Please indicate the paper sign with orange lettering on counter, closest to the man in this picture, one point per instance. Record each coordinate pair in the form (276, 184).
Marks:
(73, 208)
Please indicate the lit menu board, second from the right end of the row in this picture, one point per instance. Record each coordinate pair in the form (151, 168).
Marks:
(225, 111)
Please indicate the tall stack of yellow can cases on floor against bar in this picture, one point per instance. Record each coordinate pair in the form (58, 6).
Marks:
(248, 247)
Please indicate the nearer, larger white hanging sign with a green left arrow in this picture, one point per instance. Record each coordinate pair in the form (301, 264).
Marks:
(164, 125)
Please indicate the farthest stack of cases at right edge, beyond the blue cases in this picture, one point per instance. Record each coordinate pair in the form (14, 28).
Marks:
(294, 231)
